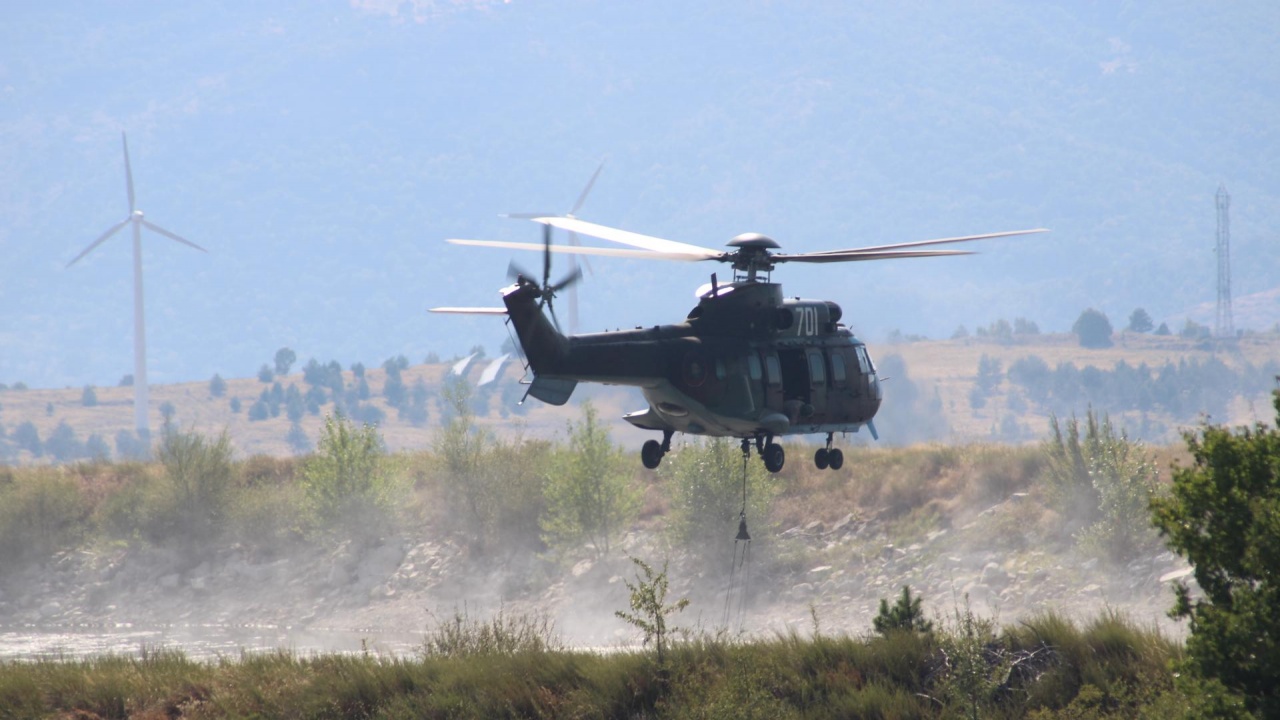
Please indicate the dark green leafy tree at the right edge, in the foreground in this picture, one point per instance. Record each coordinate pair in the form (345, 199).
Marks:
(1223, 514)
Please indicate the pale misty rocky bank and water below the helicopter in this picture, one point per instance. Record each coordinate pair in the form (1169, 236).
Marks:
(383, 594)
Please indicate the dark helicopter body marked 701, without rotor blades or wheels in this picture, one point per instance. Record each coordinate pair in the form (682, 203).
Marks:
(746, 363)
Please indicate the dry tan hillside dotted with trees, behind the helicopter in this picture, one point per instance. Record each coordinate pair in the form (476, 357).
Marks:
(930, 403)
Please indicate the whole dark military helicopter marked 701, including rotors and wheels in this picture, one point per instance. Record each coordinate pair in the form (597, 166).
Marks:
(746, 363)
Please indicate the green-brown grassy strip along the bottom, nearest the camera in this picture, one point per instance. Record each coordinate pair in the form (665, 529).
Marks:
(1043, 668)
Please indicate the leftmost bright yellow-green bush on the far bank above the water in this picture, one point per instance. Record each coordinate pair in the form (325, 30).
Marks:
(350, 482)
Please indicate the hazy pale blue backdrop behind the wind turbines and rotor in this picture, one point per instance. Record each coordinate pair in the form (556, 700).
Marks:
(323, 152)
